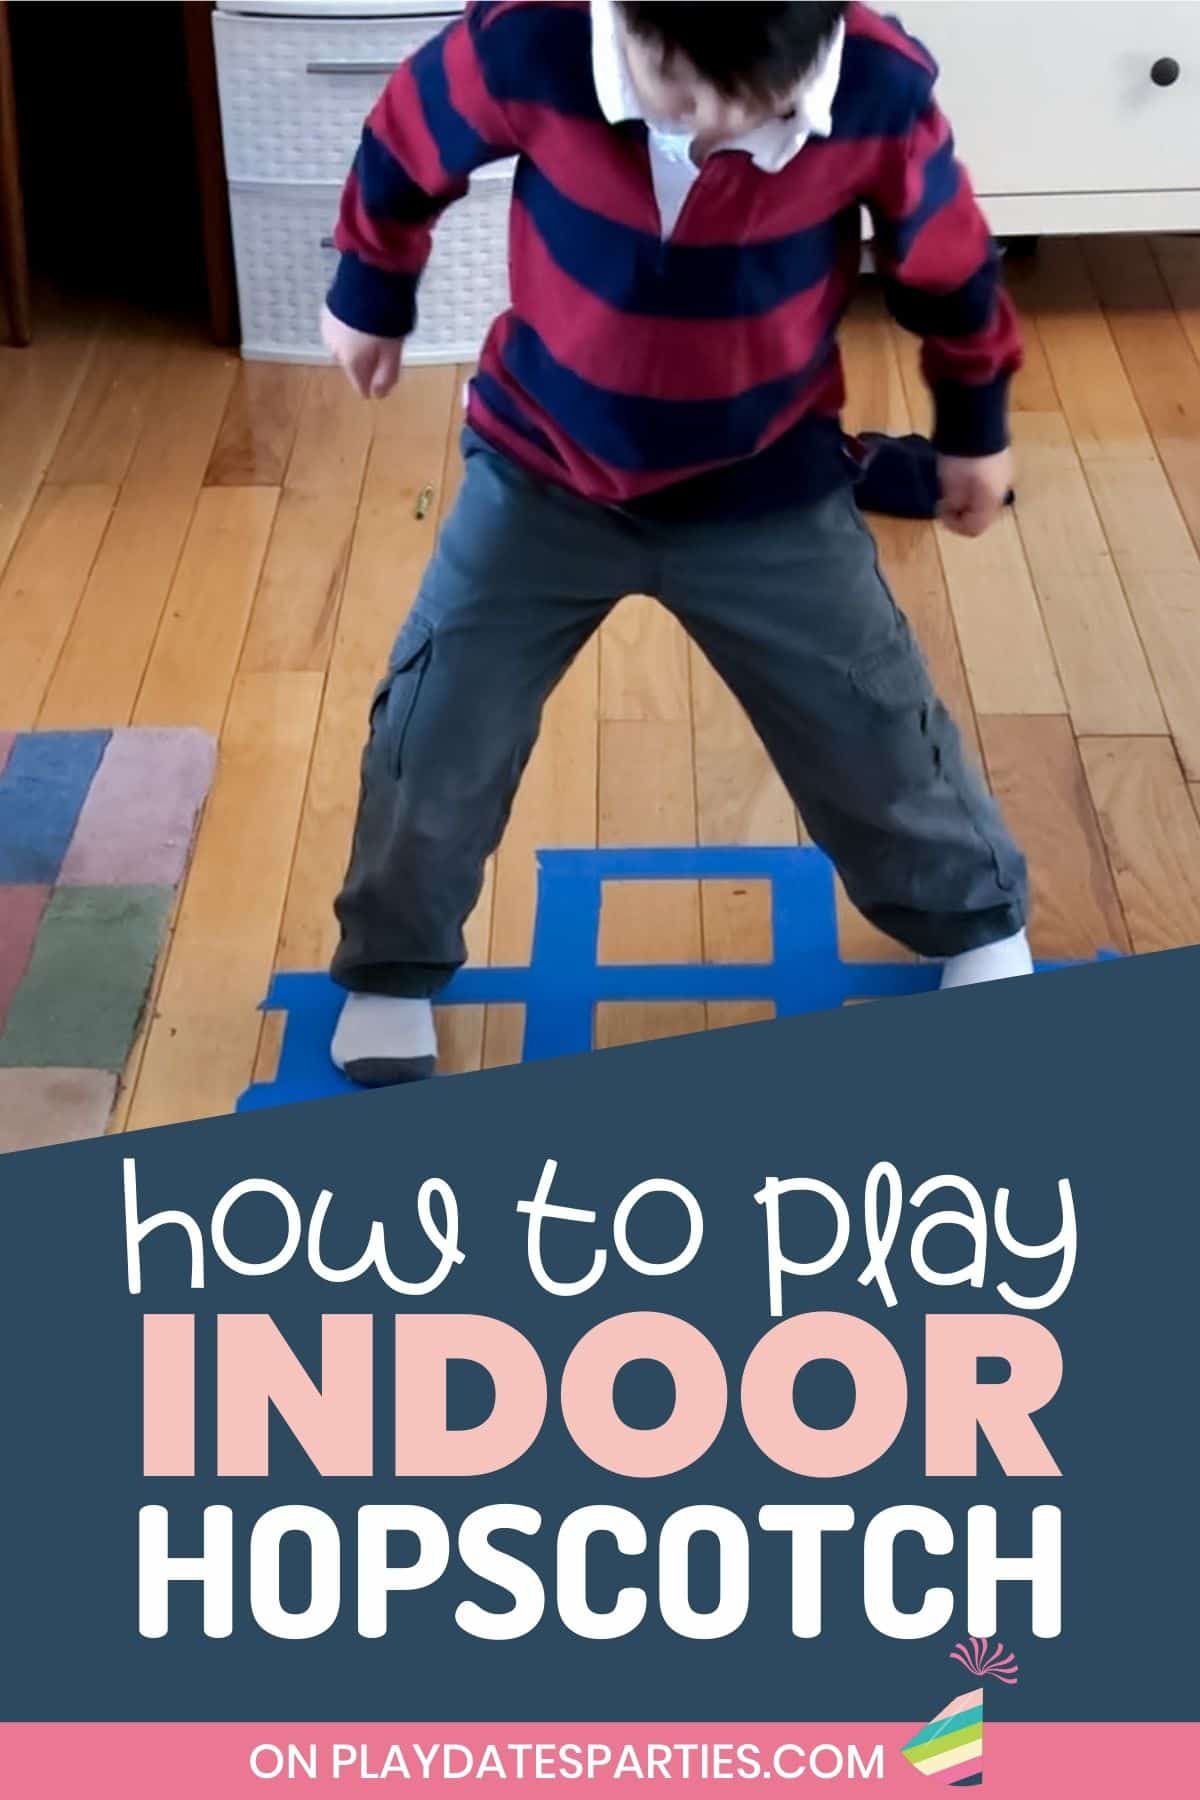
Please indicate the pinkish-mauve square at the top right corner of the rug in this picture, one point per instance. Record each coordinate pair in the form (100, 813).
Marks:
(141, 813)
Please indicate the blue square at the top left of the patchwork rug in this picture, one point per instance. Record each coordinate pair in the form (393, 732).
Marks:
(42, 791)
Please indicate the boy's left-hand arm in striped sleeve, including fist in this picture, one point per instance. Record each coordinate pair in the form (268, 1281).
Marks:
(436, 121)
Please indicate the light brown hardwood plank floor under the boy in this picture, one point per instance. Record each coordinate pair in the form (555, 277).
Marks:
(186, 541)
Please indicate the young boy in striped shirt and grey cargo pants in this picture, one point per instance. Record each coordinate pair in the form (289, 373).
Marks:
(659, 413)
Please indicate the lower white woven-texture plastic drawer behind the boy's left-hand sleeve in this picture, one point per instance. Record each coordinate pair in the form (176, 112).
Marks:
(283, 246)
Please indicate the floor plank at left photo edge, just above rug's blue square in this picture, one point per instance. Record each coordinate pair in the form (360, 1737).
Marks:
(40, 593)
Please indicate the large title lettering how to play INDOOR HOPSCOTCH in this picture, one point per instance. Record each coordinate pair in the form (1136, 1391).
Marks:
(402, 1547)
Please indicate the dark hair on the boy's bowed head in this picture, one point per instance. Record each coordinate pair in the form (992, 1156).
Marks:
(748, 48)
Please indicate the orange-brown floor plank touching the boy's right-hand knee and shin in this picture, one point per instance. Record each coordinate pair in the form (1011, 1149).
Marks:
(1039, 780)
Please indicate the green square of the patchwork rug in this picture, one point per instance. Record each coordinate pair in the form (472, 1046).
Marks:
(87, 978)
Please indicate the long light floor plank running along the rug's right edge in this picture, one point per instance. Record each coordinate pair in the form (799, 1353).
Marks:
(204, 1038)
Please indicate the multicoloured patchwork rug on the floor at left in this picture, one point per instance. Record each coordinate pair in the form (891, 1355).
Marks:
(96, 829)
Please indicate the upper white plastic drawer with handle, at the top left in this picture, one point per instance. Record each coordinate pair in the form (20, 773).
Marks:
(296, 91)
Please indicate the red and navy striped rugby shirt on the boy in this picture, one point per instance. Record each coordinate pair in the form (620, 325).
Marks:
(640, 372)
